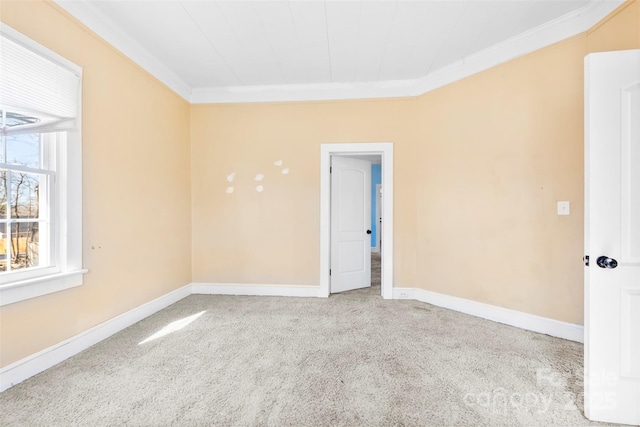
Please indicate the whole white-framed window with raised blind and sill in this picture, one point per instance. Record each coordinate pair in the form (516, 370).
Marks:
(40, 170)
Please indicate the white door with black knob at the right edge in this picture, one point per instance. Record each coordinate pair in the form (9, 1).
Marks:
(612, 237)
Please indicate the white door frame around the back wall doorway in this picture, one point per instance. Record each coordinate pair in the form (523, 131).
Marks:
(385, 150)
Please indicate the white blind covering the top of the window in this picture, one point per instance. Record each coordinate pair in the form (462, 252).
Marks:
(36, 85)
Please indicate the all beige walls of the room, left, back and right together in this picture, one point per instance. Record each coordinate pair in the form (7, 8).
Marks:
(479, 166)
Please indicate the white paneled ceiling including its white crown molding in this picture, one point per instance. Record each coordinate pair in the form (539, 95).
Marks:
(226, 51)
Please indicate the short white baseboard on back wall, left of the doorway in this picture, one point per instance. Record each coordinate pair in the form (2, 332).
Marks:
(254, 289)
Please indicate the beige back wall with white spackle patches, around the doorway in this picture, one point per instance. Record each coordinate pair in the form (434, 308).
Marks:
(273, 236)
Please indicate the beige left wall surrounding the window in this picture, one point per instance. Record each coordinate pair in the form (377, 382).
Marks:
(137, 228)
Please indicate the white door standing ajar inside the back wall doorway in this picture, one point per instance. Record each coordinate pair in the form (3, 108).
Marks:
(350, 224)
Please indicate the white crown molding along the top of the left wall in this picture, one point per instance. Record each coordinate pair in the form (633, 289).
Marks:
(104, 27)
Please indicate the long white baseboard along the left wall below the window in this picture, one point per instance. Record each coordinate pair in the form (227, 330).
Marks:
(25, 368)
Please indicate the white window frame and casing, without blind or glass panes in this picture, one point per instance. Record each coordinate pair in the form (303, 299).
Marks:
(66, 210)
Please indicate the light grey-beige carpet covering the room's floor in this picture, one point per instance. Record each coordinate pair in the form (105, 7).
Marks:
(353, 359)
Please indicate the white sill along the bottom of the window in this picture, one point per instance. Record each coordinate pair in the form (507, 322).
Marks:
(38, 286)
